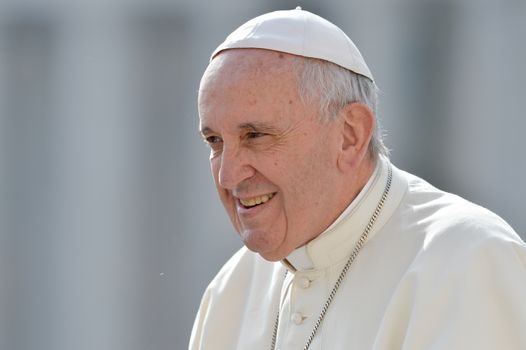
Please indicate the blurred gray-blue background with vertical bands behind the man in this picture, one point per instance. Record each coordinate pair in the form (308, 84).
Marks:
(110, 227)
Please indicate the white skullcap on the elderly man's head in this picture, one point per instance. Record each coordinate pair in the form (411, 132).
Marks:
(300, 33)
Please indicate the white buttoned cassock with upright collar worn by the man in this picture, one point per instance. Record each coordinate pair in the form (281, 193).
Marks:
(437, 272)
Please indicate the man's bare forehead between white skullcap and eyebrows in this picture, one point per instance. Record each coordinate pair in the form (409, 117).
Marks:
(248, 85)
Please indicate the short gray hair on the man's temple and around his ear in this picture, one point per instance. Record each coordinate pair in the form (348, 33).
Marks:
(333, 87)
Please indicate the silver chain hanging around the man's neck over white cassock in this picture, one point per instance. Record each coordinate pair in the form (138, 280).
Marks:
(354, 254)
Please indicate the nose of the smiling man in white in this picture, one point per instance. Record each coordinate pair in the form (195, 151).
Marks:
(233, 168)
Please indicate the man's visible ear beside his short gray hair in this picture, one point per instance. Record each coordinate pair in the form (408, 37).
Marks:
(358, 124)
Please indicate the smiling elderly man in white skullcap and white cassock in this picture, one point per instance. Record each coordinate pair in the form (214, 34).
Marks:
(343, 250)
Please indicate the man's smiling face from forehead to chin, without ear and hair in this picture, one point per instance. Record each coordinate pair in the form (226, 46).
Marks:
(274, 163)
